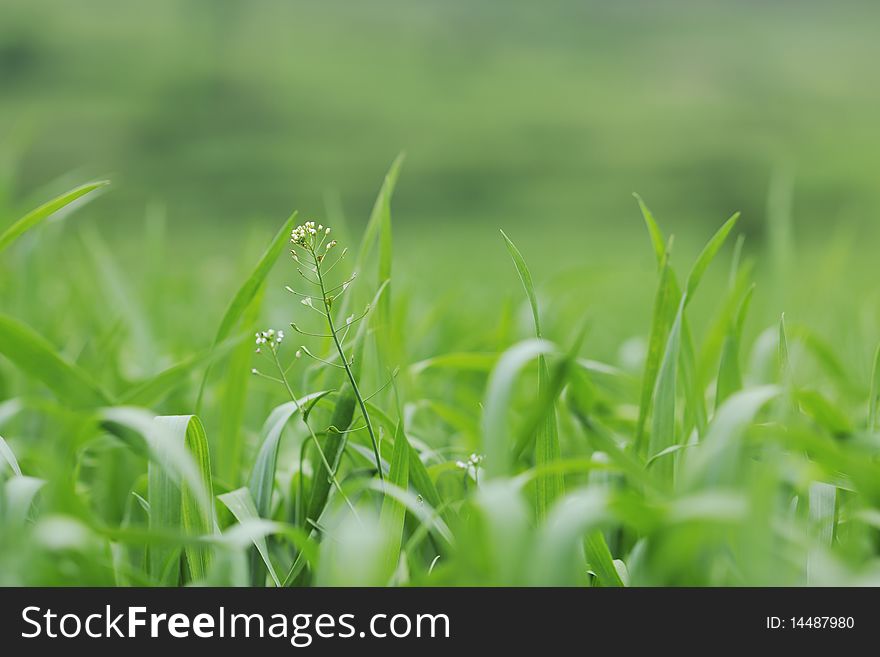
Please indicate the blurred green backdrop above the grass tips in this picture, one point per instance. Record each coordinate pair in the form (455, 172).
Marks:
(221, 116)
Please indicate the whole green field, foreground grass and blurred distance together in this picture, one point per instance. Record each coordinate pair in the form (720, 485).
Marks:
(648, 441)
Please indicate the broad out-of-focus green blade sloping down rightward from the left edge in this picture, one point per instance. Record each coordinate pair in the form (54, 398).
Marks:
(37, 358)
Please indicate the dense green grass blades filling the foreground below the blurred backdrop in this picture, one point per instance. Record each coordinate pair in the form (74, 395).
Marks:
(392, 440)
